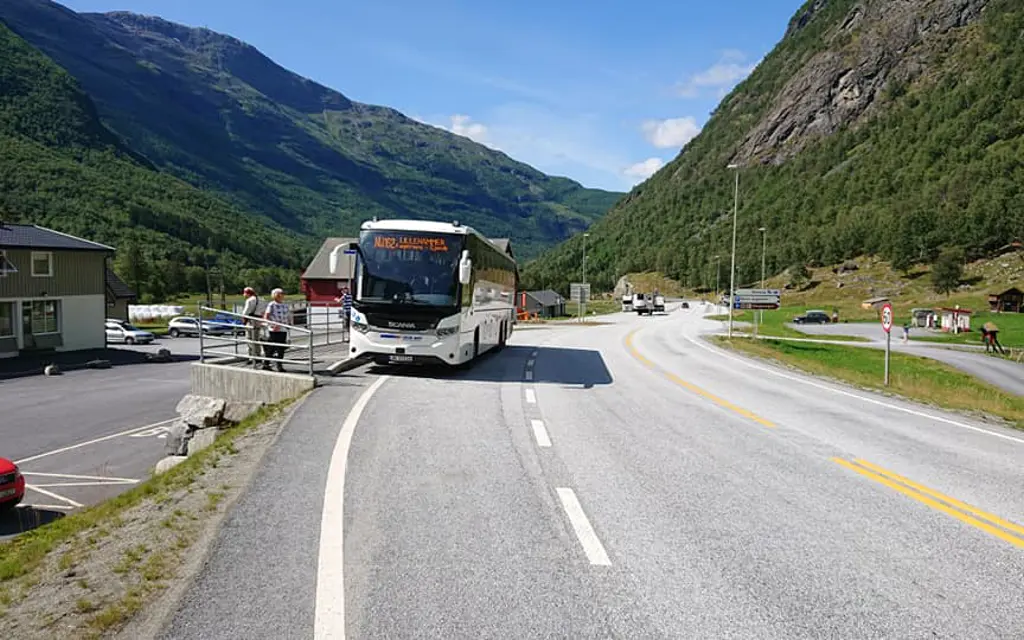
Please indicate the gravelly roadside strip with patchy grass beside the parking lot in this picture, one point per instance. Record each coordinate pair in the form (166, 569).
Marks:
(121, 567)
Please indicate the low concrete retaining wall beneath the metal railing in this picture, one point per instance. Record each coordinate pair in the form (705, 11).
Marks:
(247, 386)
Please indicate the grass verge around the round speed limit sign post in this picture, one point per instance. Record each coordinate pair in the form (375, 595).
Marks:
(911, 376)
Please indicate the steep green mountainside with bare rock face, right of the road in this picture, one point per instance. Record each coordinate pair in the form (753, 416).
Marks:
(893, 130)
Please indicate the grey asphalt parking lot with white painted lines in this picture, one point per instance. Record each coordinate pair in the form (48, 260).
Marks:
(88, 436)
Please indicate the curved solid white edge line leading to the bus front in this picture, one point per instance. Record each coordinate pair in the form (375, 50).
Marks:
(330, 613)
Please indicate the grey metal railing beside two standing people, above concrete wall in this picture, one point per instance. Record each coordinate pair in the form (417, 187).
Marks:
(249, 325)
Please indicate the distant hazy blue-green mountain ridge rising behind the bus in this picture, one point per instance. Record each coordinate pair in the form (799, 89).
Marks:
(218, 113)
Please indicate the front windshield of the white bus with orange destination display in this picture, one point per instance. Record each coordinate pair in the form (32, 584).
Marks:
(410, 268)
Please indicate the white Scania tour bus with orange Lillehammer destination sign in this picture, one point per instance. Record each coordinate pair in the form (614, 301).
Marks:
(429, 292)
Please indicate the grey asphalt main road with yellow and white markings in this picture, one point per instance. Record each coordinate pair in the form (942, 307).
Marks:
(623, 481)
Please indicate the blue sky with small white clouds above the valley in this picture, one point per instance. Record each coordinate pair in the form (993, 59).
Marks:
(603, 93)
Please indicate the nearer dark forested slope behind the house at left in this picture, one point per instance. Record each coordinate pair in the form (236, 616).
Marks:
(61, 167)
